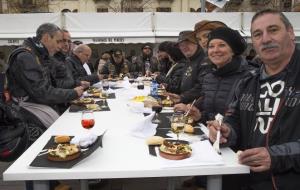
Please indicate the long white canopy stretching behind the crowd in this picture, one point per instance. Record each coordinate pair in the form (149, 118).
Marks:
(123, 28)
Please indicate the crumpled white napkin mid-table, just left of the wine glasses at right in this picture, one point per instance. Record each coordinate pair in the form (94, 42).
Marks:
(143, 128)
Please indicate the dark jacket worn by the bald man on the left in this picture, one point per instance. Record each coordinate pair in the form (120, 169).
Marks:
(78, 72)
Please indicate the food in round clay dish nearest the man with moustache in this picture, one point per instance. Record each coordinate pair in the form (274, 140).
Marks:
(174, 150)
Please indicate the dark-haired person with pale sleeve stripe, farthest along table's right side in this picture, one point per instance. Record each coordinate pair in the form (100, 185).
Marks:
(171, 80)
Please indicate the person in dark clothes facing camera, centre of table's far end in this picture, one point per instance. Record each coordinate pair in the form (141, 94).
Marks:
(146, 64)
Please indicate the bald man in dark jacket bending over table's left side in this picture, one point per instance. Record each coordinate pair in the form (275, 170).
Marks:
(75, 62)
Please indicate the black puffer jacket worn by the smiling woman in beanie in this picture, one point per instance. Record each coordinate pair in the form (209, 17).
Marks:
(217, 87)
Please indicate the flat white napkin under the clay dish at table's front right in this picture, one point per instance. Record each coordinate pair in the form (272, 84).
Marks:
(202, 154)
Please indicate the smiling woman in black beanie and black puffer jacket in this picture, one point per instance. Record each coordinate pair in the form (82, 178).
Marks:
(225, 47)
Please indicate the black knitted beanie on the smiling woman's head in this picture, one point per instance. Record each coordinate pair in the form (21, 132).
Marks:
(231, 37)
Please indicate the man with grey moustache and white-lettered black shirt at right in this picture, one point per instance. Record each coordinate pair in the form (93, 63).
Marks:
(263, 118)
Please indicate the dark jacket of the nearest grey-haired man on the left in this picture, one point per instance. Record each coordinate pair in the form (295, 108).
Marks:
(28, 76)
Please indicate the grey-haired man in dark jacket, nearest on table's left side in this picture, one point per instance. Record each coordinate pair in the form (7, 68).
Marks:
(29, 80)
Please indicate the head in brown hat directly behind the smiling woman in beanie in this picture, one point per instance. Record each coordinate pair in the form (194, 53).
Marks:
(203, 28)
